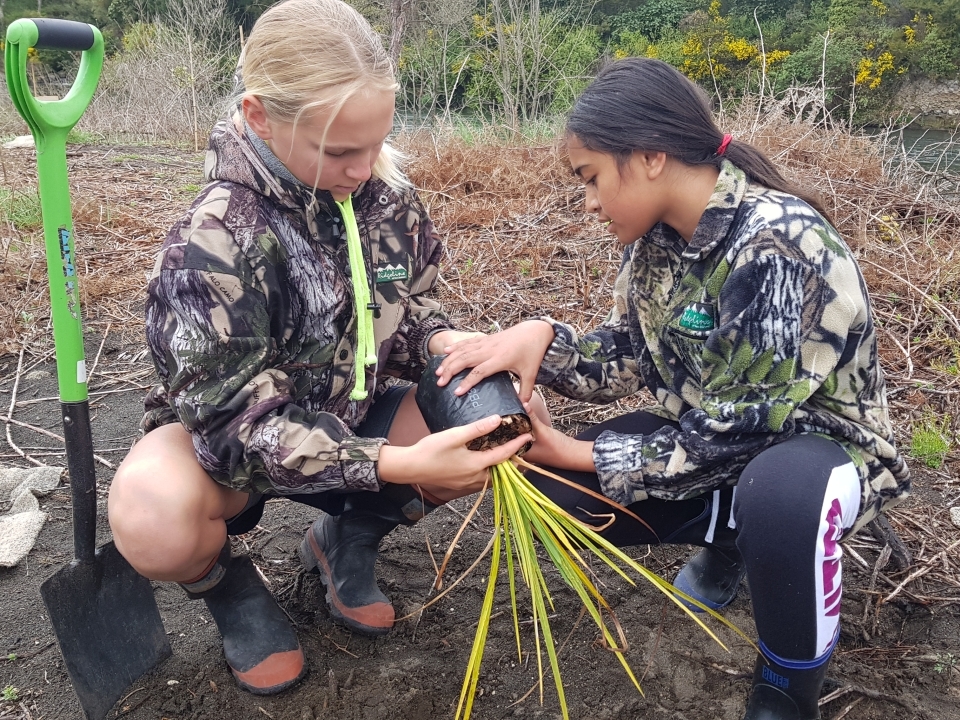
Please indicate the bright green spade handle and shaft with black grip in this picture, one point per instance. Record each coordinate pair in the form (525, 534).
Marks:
(50, 122)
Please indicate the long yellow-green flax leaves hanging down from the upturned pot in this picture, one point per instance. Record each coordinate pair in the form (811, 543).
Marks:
(521, 514)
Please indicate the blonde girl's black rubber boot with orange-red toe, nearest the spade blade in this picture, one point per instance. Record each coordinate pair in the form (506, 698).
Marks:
(261, 647)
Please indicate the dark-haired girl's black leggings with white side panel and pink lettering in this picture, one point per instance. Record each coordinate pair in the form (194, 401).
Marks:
(787, 514)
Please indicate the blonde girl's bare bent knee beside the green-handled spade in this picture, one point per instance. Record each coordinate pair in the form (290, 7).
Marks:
(167, 515)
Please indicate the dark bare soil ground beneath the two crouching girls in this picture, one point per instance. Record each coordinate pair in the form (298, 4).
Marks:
(899, 662)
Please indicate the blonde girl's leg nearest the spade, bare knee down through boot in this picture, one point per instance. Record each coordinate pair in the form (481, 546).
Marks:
(169, 521)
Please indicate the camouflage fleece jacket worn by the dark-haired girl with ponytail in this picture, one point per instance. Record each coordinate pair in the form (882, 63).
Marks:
(758, 329)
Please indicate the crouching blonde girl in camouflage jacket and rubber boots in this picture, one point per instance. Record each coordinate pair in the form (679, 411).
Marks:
(284, 307)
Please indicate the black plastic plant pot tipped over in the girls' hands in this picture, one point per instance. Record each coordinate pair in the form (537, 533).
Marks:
(494, 395)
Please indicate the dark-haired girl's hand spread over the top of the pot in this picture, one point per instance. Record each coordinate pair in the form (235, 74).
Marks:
(519, 349)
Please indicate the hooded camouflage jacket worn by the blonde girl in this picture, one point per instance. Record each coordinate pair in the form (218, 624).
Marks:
(252, 328)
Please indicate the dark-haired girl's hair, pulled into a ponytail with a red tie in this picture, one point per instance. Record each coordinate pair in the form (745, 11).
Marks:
(646, 104)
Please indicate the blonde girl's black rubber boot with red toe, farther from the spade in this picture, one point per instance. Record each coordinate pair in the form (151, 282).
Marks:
(343, 549)
